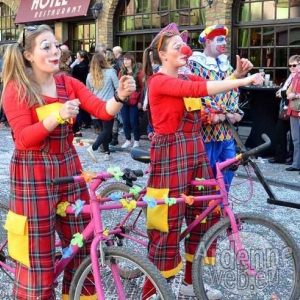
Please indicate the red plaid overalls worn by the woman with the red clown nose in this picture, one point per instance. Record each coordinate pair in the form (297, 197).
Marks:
(176, 159)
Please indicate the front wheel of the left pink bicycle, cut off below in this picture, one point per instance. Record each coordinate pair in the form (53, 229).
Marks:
(83, 278)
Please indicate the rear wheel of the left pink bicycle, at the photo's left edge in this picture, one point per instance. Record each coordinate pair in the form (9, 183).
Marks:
(6, 278)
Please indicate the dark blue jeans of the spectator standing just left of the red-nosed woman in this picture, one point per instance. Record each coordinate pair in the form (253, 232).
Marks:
(130, 116)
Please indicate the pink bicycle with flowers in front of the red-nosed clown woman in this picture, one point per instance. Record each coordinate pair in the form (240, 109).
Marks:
(254, 257)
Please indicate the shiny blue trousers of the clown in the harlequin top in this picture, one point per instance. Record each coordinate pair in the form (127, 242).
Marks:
(218, 152)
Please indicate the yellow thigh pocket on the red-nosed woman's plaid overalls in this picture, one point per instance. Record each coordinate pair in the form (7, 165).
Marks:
(157, 217)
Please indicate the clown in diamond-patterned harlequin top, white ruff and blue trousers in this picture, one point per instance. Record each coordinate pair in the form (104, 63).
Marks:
(213, 64)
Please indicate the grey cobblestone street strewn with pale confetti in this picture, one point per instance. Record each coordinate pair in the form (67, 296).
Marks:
(285, 185)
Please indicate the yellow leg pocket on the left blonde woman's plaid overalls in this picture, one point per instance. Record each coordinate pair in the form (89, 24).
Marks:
(18, 241)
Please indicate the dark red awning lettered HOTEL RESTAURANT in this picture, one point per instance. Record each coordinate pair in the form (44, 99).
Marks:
(42, 10)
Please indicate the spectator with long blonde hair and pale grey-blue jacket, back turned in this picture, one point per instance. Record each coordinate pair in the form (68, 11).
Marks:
(102, 81)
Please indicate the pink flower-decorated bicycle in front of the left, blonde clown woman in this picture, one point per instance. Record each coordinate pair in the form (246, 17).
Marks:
(109, 271)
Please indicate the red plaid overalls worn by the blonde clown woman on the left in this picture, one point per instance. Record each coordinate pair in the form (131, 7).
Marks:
(33, 195)
